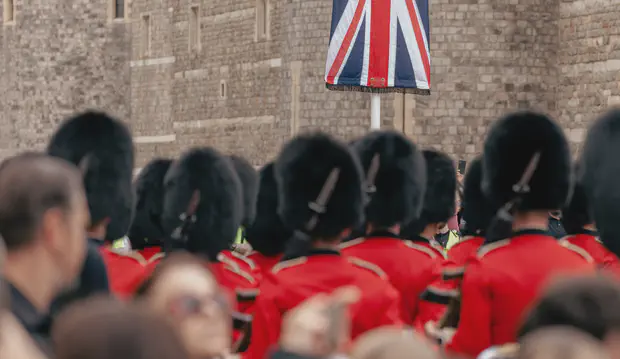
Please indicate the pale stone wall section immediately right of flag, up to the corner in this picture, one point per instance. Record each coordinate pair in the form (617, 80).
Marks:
(488, 57)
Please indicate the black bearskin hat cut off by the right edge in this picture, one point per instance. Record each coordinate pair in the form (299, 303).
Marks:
(599, 171)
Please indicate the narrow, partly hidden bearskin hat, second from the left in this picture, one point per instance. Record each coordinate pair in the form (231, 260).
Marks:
(146, 228)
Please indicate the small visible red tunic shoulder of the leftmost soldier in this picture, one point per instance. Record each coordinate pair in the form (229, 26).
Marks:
(125, 271)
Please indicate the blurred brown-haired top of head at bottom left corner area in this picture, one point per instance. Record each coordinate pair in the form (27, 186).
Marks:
(103, 328)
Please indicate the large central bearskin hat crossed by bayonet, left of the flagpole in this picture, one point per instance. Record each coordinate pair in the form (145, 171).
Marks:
(302, 170)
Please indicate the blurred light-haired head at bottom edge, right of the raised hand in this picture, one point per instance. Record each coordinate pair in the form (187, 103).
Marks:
(392, 343)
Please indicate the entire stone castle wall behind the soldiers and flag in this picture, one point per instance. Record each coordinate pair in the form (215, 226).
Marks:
(488, 57)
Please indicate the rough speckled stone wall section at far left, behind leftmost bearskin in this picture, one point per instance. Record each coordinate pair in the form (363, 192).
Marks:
(59, 57)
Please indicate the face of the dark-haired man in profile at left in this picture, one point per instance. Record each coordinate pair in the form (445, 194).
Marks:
(64, 232)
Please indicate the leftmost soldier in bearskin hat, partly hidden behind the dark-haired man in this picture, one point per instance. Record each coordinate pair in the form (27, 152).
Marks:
(103, 149)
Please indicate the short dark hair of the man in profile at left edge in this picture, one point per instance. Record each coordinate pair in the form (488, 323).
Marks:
(30, 185)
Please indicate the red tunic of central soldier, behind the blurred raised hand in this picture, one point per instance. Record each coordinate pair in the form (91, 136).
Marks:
(294, 281)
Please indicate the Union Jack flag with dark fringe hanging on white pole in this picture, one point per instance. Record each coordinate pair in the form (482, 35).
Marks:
(379, 46)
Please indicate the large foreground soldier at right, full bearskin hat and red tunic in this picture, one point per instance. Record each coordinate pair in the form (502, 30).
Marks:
(526, 172)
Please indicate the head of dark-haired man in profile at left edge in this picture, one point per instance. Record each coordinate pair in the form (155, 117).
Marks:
(43, 218)
